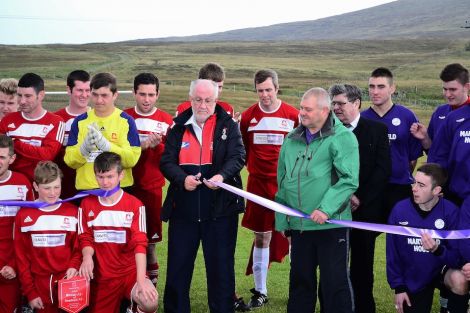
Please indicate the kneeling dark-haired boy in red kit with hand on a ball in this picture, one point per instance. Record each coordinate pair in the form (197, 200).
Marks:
(112, 232)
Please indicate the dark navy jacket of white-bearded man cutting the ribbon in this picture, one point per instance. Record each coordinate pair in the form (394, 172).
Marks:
(228, 159)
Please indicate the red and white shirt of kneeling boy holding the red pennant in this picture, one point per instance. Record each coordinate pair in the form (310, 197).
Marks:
(46, 243)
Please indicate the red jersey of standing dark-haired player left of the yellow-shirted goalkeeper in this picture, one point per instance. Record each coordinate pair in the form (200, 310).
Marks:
(35, 140)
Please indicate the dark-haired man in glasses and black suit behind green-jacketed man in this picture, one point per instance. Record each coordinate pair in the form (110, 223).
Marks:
(366, 202)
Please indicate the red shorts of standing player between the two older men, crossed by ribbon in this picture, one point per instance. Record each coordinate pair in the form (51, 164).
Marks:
(258, 218)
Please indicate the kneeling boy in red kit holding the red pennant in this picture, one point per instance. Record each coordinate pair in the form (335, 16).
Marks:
(46, 242)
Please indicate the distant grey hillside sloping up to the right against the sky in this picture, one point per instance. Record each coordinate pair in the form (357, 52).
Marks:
(395, 20)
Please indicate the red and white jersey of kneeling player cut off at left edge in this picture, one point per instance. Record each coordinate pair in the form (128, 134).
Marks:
(15, 187)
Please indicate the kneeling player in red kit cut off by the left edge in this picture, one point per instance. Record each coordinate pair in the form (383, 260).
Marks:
(13, 186)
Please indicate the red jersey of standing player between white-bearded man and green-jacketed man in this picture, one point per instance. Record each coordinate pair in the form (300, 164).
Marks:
(263, 134)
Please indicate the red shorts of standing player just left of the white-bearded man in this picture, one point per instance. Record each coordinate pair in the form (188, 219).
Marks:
(152, 199)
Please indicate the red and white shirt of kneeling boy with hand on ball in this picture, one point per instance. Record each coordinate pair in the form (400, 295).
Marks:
(115, 231)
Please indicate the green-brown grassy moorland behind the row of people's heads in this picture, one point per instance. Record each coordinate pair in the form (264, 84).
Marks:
(301, 65)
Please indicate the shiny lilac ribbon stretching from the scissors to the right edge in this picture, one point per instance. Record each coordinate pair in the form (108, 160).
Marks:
(391, 229)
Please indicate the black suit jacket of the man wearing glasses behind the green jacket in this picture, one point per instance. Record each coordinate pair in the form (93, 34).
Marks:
(374, 170)
